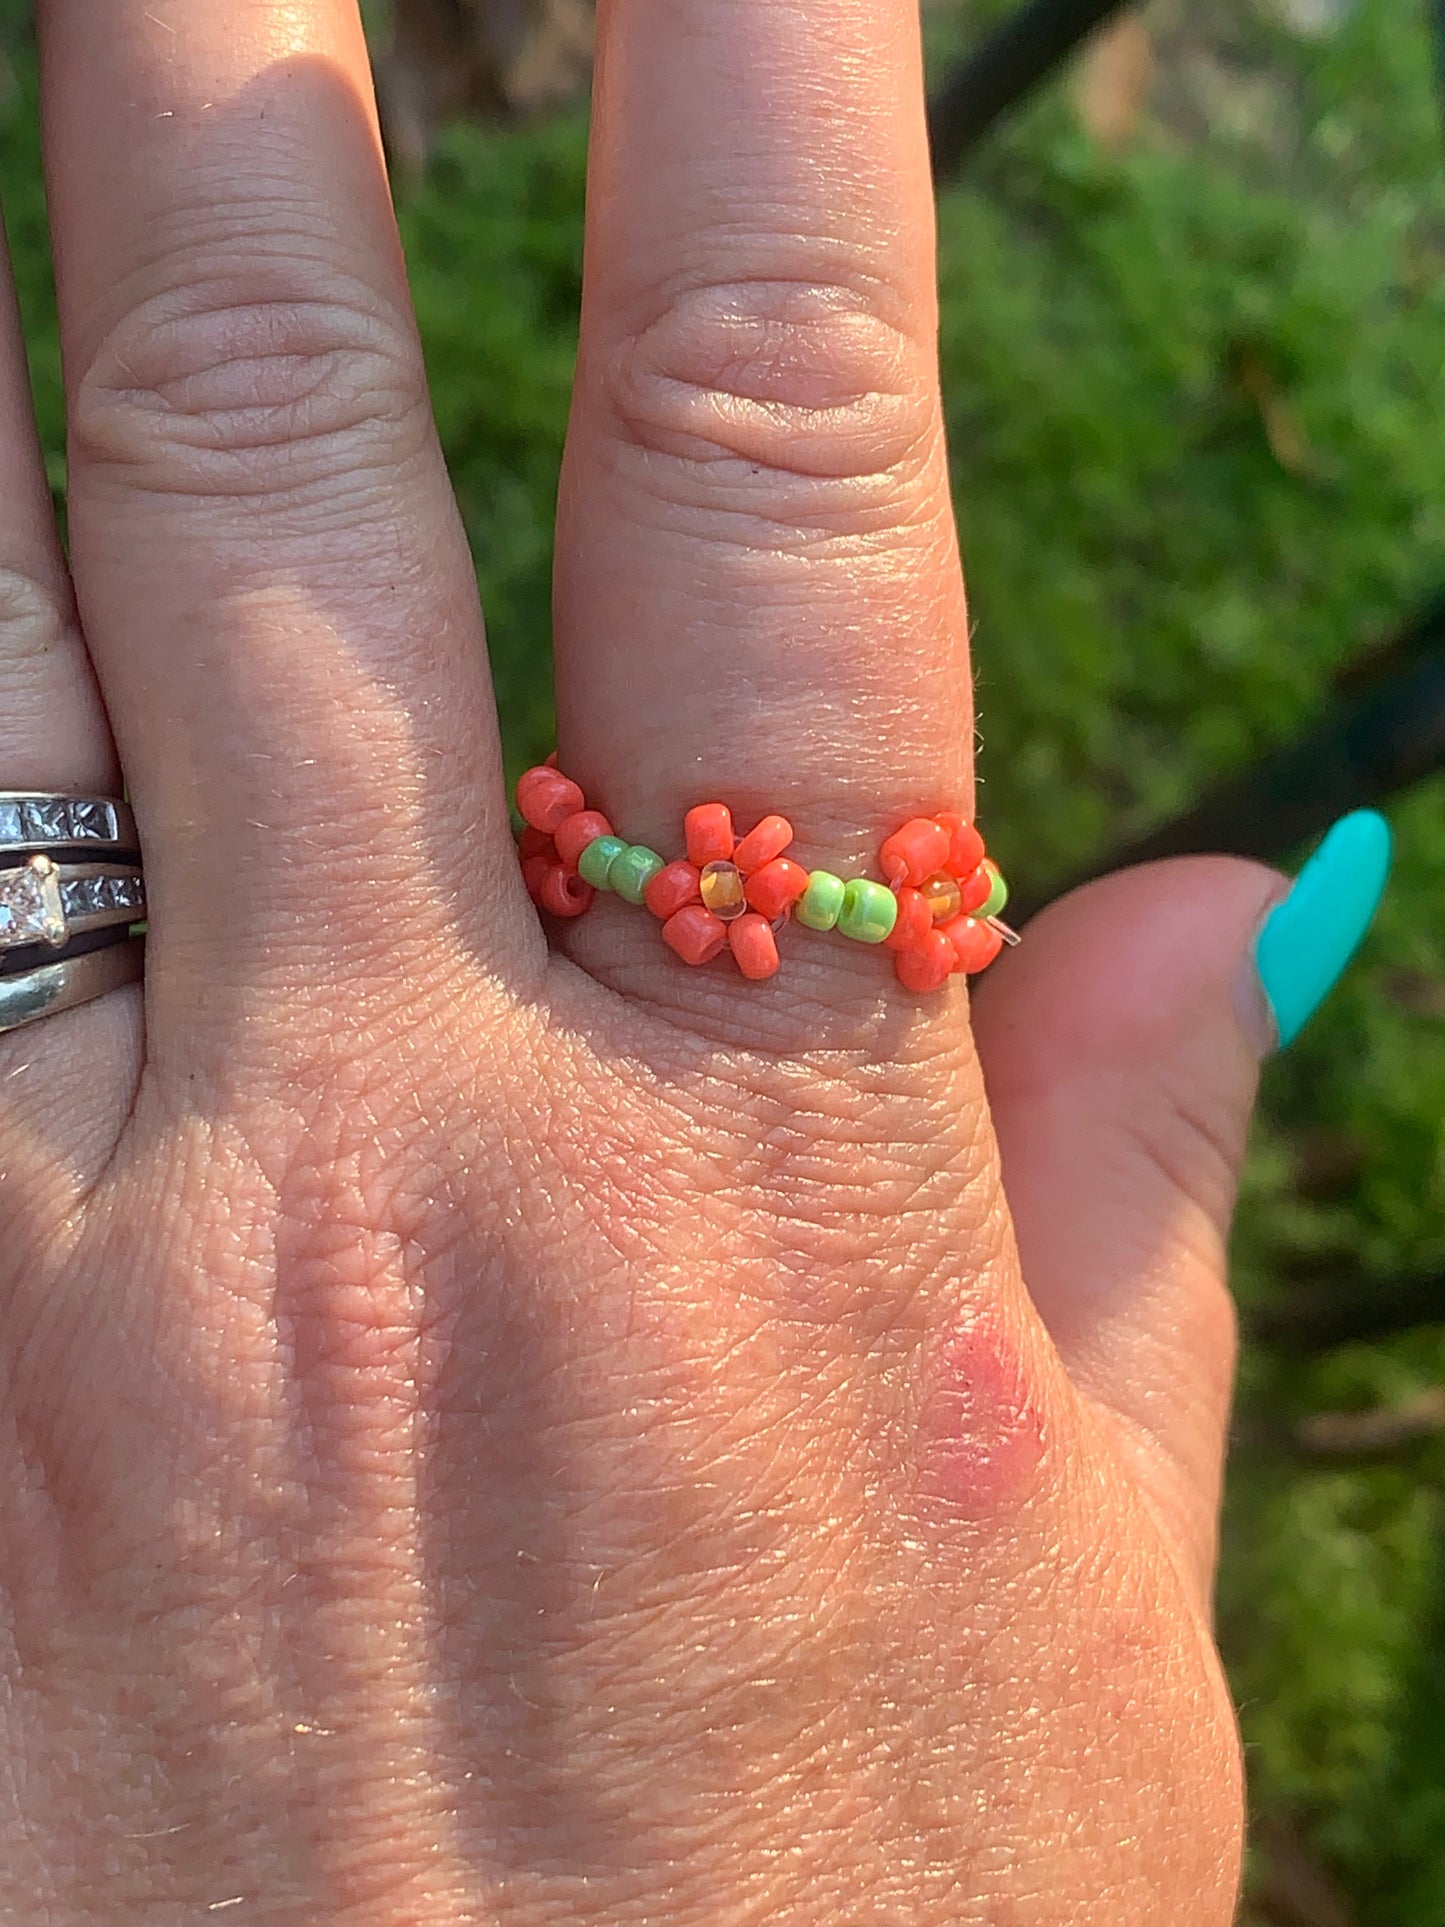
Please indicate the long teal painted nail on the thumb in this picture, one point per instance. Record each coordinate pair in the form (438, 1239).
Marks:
(1309, 937)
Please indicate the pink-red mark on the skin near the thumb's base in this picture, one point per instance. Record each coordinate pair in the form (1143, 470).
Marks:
(982, 1429)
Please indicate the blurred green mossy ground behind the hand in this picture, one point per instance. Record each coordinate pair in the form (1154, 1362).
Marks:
(1194, 346)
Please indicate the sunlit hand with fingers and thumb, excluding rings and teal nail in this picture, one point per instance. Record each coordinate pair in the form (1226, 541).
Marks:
(527, 1437)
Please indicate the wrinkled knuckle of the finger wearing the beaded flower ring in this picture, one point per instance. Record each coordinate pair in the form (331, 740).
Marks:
(801, 386)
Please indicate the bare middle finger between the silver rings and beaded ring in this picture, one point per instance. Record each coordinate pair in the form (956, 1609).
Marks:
(271, 566)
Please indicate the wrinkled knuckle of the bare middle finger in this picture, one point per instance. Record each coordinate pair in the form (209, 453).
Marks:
(226, 388)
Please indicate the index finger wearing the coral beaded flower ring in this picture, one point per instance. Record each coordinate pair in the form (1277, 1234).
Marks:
(758, 593)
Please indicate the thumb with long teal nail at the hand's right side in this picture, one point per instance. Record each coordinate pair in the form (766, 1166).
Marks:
(1122, 1047)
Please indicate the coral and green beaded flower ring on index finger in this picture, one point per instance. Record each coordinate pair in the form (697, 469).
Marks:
(937, 911)
